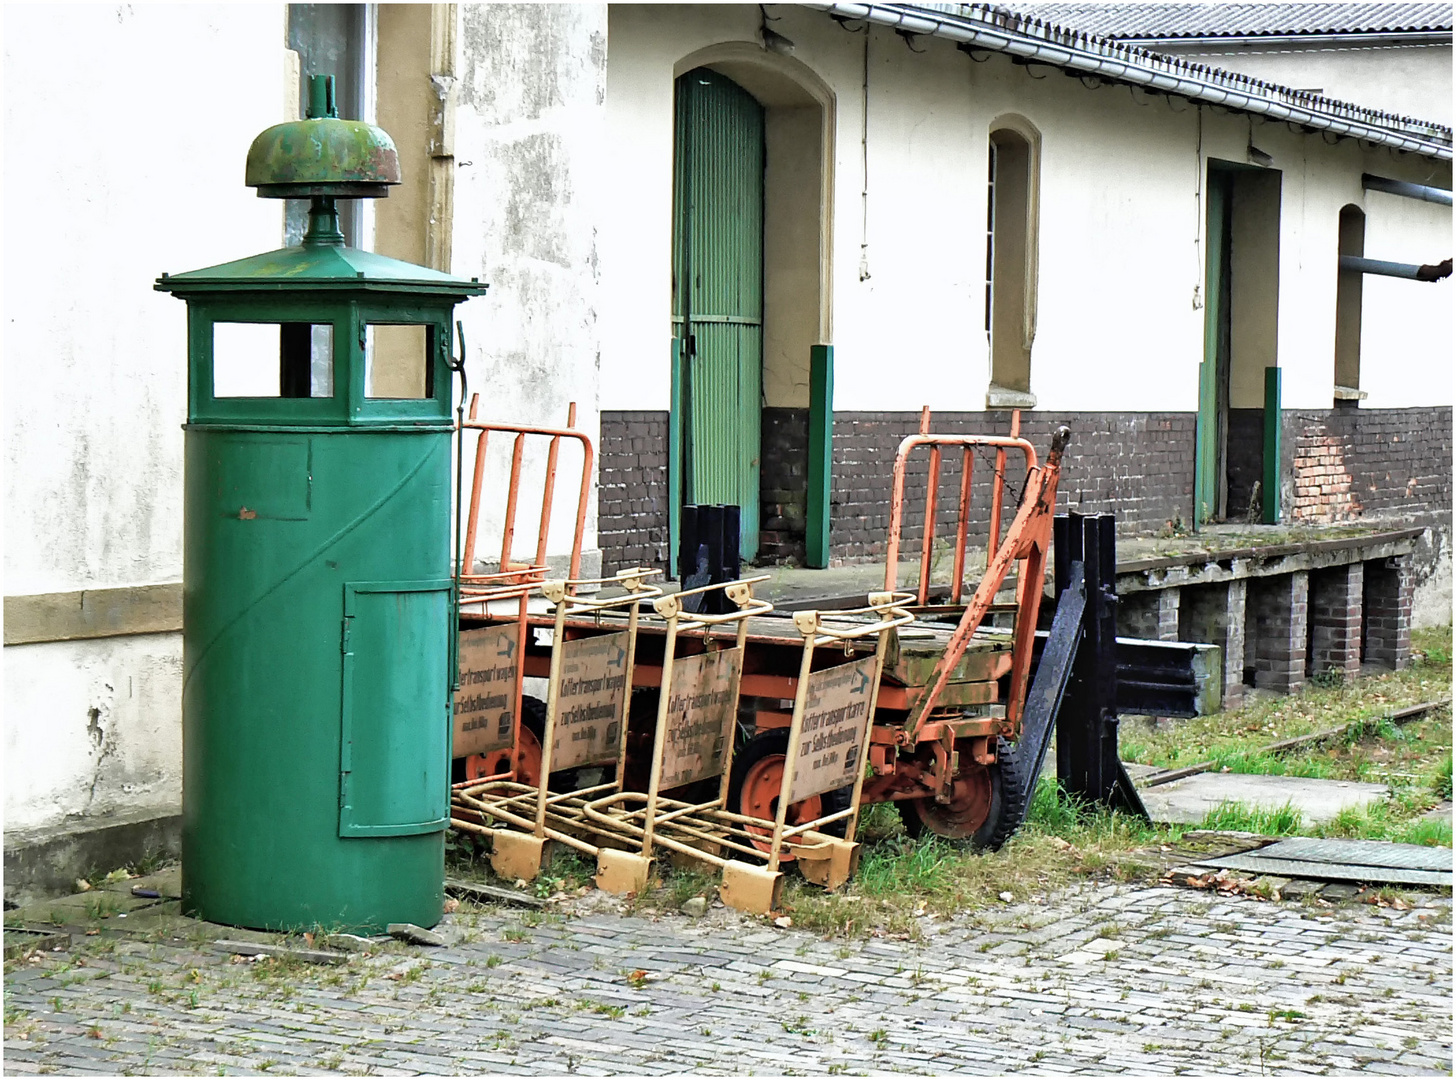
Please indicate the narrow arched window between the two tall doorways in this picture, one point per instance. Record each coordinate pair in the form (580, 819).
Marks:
(1011, 261)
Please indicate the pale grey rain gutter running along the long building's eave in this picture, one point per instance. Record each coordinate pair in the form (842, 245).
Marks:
(1088, 55)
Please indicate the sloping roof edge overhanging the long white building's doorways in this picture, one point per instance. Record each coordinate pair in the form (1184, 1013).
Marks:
(1000, 31)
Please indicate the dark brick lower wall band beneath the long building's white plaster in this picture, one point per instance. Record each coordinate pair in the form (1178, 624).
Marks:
(1138, 465)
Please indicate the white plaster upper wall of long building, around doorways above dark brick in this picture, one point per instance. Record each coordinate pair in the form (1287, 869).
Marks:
(1120, 318)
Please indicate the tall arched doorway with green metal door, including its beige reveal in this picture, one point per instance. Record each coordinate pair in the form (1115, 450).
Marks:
(783, 436)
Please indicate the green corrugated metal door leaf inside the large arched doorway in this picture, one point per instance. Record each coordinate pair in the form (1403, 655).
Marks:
(719, 292)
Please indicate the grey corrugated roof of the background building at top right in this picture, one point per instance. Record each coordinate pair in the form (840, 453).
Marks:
(1138, 21)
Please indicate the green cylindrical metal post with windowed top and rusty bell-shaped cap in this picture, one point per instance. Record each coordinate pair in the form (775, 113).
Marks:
(318, 593)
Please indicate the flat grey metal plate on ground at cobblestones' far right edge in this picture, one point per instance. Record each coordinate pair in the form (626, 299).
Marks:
(1361, 861)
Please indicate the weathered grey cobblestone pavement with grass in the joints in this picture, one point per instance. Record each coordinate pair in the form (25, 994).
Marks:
(1106, 979)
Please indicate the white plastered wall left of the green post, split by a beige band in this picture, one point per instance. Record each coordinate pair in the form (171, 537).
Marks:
(126, 164)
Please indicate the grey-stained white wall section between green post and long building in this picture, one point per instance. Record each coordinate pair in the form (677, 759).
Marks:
(529, 152)
